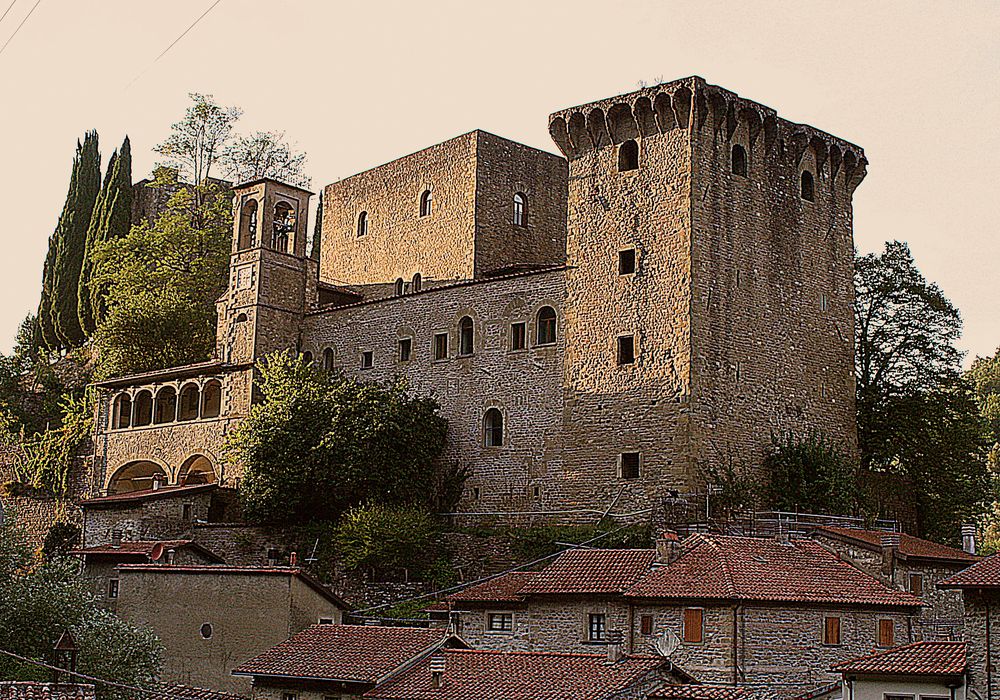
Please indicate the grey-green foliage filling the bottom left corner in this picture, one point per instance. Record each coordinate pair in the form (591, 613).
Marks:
(40, 601)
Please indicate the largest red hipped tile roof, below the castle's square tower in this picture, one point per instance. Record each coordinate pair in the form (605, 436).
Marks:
(757, 569)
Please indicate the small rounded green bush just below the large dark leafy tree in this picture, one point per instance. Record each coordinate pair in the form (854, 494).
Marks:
(388, 540)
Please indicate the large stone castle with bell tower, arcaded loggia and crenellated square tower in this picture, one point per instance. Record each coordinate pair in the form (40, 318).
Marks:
(598, 328)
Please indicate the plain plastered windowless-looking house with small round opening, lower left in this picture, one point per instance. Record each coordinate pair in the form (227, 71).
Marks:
(212, 618)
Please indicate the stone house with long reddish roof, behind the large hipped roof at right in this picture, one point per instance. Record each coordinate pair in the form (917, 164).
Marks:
(910, 564)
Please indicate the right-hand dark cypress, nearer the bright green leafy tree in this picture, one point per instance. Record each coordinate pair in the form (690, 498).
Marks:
(111, 219)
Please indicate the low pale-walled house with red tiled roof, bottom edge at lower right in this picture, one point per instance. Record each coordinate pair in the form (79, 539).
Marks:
(929, 670)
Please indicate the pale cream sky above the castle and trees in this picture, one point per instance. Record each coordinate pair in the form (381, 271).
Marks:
(358, 84)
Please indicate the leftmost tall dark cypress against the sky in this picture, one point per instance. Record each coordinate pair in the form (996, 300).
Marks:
(70, 239)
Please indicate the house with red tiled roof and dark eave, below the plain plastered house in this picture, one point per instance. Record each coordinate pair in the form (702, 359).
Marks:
(339, 661)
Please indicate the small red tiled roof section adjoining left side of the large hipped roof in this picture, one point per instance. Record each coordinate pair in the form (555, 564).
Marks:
(591, 571)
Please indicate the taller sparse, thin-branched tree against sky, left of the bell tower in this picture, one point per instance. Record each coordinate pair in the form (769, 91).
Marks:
(199, 139)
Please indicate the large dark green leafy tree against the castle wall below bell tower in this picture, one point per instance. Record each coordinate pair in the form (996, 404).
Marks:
(318, 444)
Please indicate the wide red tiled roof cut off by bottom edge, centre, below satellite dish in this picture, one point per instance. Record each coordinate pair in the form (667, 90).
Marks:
(495, 675)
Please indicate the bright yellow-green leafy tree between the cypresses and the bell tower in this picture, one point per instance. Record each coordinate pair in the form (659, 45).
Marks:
(162, 282)
